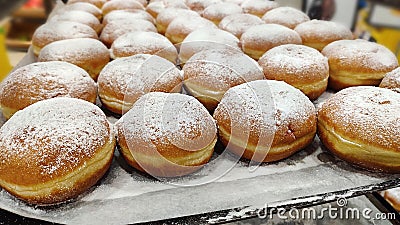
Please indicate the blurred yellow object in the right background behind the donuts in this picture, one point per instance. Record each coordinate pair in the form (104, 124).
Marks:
(389, 37)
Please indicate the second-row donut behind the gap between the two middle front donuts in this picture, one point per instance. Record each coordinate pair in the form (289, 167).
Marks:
(210, 73)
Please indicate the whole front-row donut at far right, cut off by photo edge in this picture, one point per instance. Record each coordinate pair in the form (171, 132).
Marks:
(361, 125)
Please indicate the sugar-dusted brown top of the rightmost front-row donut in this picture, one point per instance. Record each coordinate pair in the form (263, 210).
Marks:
(369, 114)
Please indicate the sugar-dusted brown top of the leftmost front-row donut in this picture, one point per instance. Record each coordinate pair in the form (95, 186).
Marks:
(53, 137)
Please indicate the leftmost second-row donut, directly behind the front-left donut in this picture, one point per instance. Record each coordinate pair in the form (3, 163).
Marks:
(43, 80)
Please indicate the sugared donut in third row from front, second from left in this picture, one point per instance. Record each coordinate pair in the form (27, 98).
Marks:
(144, 43)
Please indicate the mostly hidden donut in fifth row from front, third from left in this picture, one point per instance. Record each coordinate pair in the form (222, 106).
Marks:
(165, 17)
